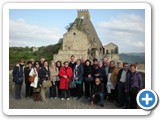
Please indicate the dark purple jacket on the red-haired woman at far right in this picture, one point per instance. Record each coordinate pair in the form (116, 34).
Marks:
(133, 80)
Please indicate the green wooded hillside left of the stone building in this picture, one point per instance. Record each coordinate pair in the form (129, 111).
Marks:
(16, 53)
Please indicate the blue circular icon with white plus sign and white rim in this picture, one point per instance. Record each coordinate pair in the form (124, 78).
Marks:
(147, 99)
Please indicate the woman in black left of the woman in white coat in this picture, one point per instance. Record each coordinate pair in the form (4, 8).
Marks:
(29, 90)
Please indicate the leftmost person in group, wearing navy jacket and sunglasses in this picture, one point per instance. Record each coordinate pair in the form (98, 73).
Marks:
(18, 78)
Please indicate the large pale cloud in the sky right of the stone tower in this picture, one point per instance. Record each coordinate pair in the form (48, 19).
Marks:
(125, 30)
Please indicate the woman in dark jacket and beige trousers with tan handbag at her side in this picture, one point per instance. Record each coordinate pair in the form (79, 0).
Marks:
(44, 77)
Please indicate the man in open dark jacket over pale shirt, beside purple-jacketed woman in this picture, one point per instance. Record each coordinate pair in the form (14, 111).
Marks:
(121, 80)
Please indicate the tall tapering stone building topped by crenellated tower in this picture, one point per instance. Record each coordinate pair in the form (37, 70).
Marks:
(81, 39)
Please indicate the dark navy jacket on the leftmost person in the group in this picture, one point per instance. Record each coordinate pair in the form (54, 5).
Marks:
(18, 74)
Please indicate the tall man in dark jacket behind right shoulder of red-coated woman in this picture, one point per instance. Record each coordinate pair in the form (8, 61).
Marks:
(73, 64)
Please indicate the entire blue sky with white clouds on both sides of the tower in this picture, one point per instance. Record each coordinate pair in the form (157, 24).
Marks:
(39, 27)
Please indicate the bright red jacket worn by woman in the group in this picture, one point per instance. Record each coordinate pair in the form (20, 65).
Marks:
(64, 81)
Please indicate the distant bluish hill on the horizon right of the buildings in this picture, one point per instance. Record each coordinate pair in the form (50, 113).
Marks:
(132, 57)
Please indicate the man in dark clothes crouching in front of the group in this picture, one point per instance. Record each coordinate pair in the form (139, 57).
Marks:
(97, 94)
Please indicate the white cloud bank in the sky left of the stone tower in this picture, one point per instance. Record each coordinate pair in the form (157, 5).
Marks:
(23, 34)
